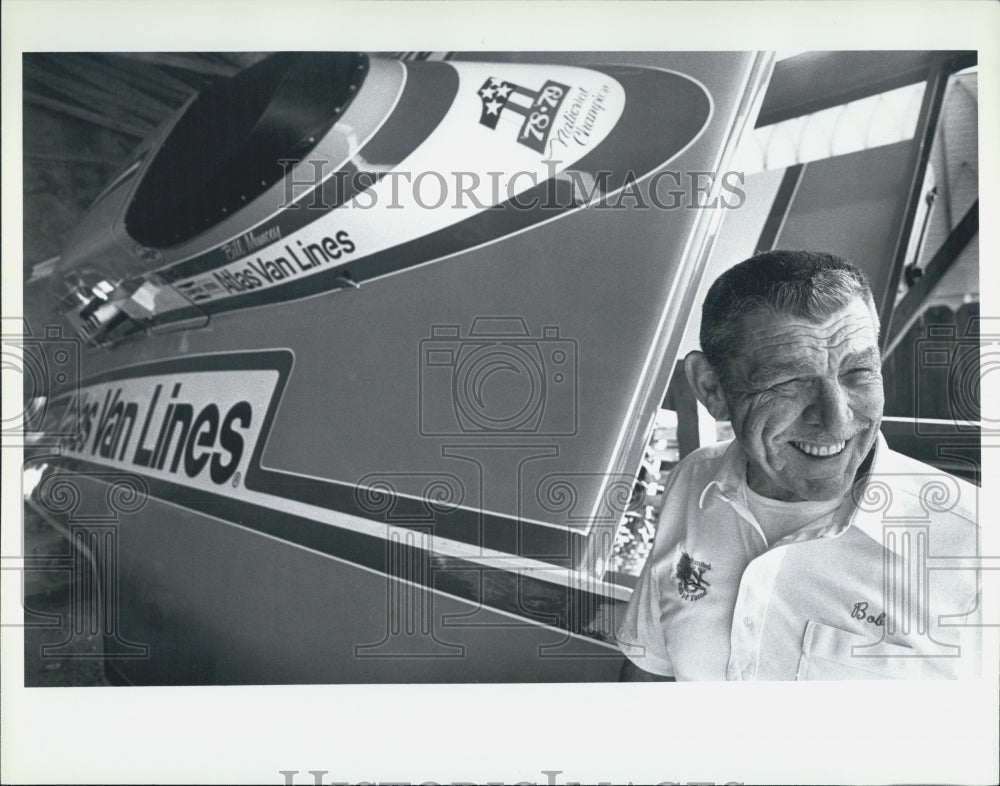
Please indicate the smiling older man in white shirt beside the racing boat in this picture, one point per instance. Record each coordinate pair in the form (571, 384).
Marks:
(798, 551)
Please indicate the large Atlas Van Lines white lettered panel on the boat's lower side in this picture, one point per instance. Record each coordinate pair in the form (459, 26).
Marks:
(197, 427)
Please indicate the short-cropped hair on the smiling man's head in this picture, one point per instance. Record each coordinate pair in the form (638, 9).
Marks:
(807, 284)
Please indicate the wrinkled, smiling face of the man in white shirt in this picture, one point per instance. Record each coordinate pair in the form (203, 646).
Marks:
(805, 400)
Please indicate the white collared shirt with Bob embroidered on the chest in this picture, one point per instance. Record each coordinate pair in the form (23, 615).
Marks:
(850, 596)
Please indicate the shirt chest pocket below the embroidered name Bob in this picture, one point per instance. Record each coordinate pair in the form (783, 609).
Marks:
(828, 654)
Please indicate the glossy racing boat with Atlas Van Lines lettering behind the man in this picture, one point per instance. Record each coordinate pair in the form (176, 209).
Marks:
(380, 419)
